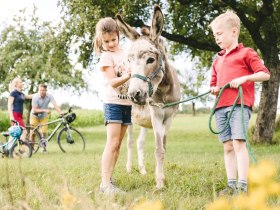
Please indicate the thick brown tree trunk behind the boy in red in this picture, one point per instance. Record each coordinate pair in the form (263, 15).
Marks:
(265, 123)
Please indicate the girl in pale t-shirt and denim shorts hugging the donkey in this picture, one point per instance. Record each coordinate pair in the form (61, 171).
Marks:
(117, 112)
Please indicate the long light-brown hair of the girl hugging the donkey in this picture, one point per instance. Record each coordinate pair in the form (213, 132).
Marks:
(104, 25)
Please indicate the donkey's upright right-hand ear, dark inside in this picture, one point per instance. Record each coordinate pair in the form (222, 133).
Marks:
(157, 24)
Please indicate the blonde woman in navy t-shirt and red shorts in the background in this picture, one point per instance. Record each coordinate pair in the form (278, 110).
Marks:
(15, 103)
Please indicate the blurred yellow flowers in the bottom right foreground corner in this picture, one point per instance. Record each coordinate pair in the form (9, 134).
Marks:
(262, 188)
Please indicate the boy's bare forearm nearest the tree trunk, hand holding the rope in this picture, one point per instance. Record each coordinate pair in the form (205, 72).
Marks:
(257, 77)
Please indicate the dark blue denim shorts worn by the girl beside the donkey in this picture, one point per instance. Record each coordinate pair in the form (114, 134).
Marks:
(115, 113)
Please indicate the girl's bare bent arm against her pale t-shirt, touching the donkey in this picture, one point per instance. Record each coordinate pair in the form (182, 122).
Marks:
(112, 78)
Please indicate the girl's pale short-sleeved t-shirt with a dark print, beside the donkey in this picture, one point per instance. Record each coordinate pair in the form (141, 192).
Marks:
(116, 60)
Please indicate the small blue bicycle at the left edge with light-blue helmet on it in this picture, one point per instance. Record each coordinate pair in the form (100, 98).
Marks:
(15, 147)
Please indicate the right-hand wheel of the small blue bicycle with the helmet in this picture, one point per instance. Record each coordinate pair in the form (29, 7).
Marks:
(21, 149)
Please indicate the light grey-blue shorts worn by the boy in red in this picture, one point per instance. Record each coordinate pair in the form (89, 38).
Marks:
(235, 128)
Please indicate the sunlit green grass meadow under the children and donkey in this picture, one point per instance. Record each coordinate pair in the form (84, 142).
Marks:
(194, 170)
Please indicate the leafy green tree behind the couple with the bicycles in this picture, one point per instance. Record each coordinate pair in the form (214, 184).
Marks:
(37, 53)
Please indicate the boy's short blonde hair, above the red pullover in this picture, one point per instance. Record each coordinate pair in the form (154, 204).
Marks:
(229, 18)
